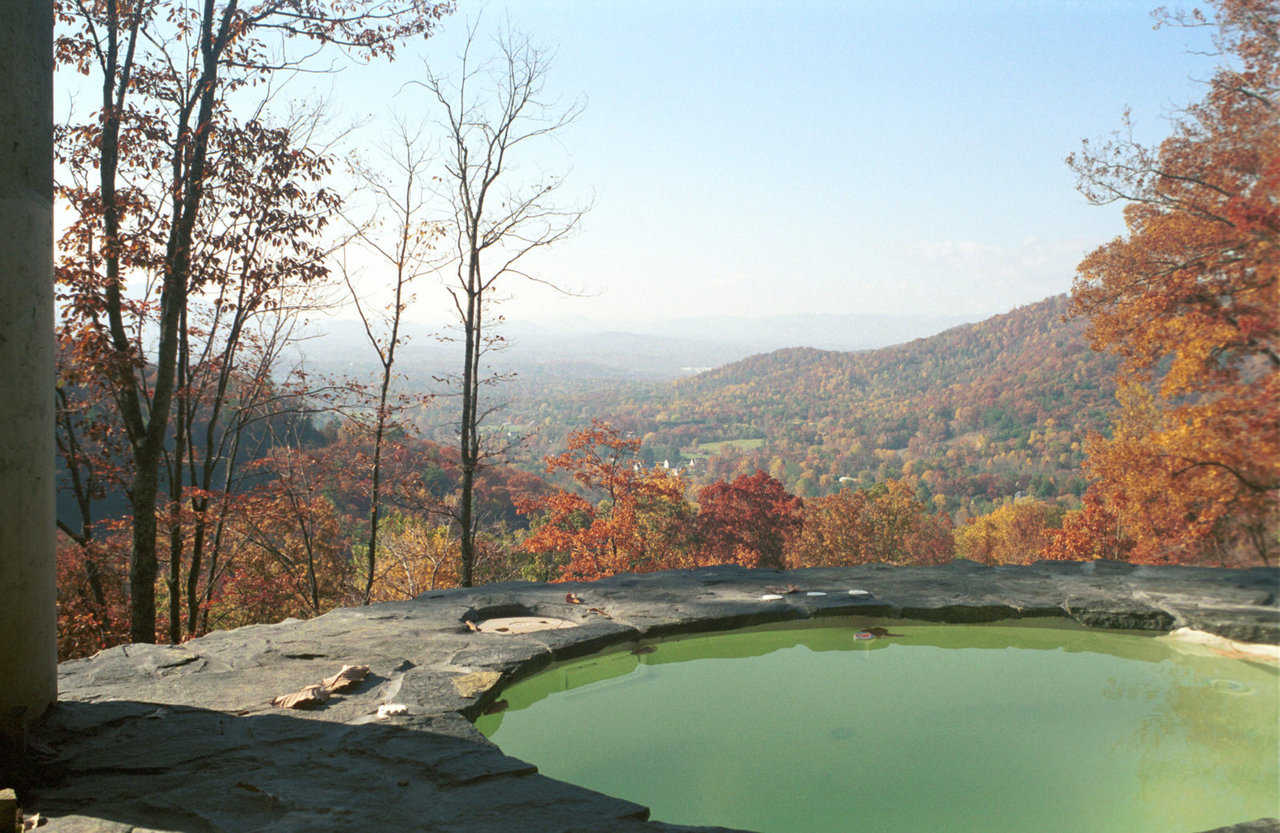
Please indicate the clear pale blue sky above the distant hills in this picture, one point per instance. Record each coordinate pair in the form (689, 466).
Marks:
(756, 158)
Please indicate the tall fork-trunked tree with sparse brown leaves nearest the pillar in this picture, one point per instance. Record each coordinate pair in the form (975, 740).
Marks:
(167, 72)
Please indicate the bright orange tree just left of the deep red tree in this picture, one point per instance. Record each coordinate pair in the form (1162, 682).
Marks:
(639, 521)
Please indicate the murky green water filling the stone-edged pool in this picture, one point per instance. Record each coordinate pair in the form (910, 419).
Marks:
(940, 727)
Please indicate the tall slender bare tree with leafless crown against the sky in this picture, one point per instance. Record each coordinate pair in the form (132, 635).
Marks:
(492, 113)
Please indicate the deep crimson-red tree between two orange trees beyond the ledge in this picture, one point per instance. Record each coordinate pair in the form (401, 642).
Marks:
(748, 521)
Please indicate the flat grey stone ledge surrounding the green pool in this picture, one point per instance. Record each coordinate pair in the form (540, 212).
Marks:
(184, 738)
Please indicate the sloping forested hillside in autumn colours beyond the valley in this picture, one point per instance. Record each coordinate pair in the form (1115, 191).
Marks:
(968, 416)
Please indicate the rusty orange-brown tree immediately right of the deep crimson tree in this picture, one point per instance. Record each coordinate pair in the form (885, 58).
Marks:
(886, 524)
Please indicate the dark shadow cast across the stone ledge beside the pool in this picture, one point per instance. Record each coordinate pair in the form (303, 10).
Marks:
(177, 768)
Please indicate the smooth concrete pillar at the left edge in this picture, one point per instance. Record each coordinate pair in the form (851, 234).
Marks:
(29, 626)
